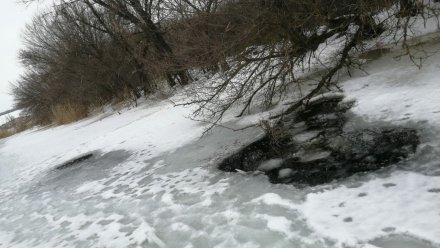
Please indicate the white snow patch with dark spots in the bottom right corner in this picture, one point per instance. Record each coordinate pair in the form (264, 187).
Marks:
(375, 210)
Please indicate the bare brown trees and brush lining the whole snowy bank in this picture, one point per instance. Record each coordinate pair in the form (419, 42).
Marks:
(86, 53)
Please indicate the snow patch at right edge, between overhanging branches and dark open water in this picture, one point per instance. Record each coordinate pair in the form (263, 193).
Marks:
(415, 100)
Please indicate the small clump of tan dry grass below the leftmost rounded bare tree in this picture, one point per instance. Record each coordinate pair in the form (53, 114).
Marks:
(67, 113)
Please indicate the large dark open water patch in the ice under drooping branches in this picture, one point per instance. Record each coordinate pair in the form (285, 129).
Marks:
(313, 145)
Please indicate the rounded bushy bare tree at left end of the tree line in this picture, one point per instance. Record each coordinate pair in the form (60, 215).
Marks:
(72, 63)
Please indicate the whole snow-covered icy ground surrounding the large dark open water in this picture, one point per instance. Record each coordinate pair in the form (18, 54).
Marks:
(151, 181)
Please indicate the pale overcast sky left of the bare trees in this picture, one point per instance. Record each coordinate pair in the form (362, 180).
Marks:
(13, 18)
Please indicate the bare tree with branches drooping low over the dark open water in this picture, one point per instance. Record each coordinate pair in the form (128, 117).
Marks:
(281, 40)
